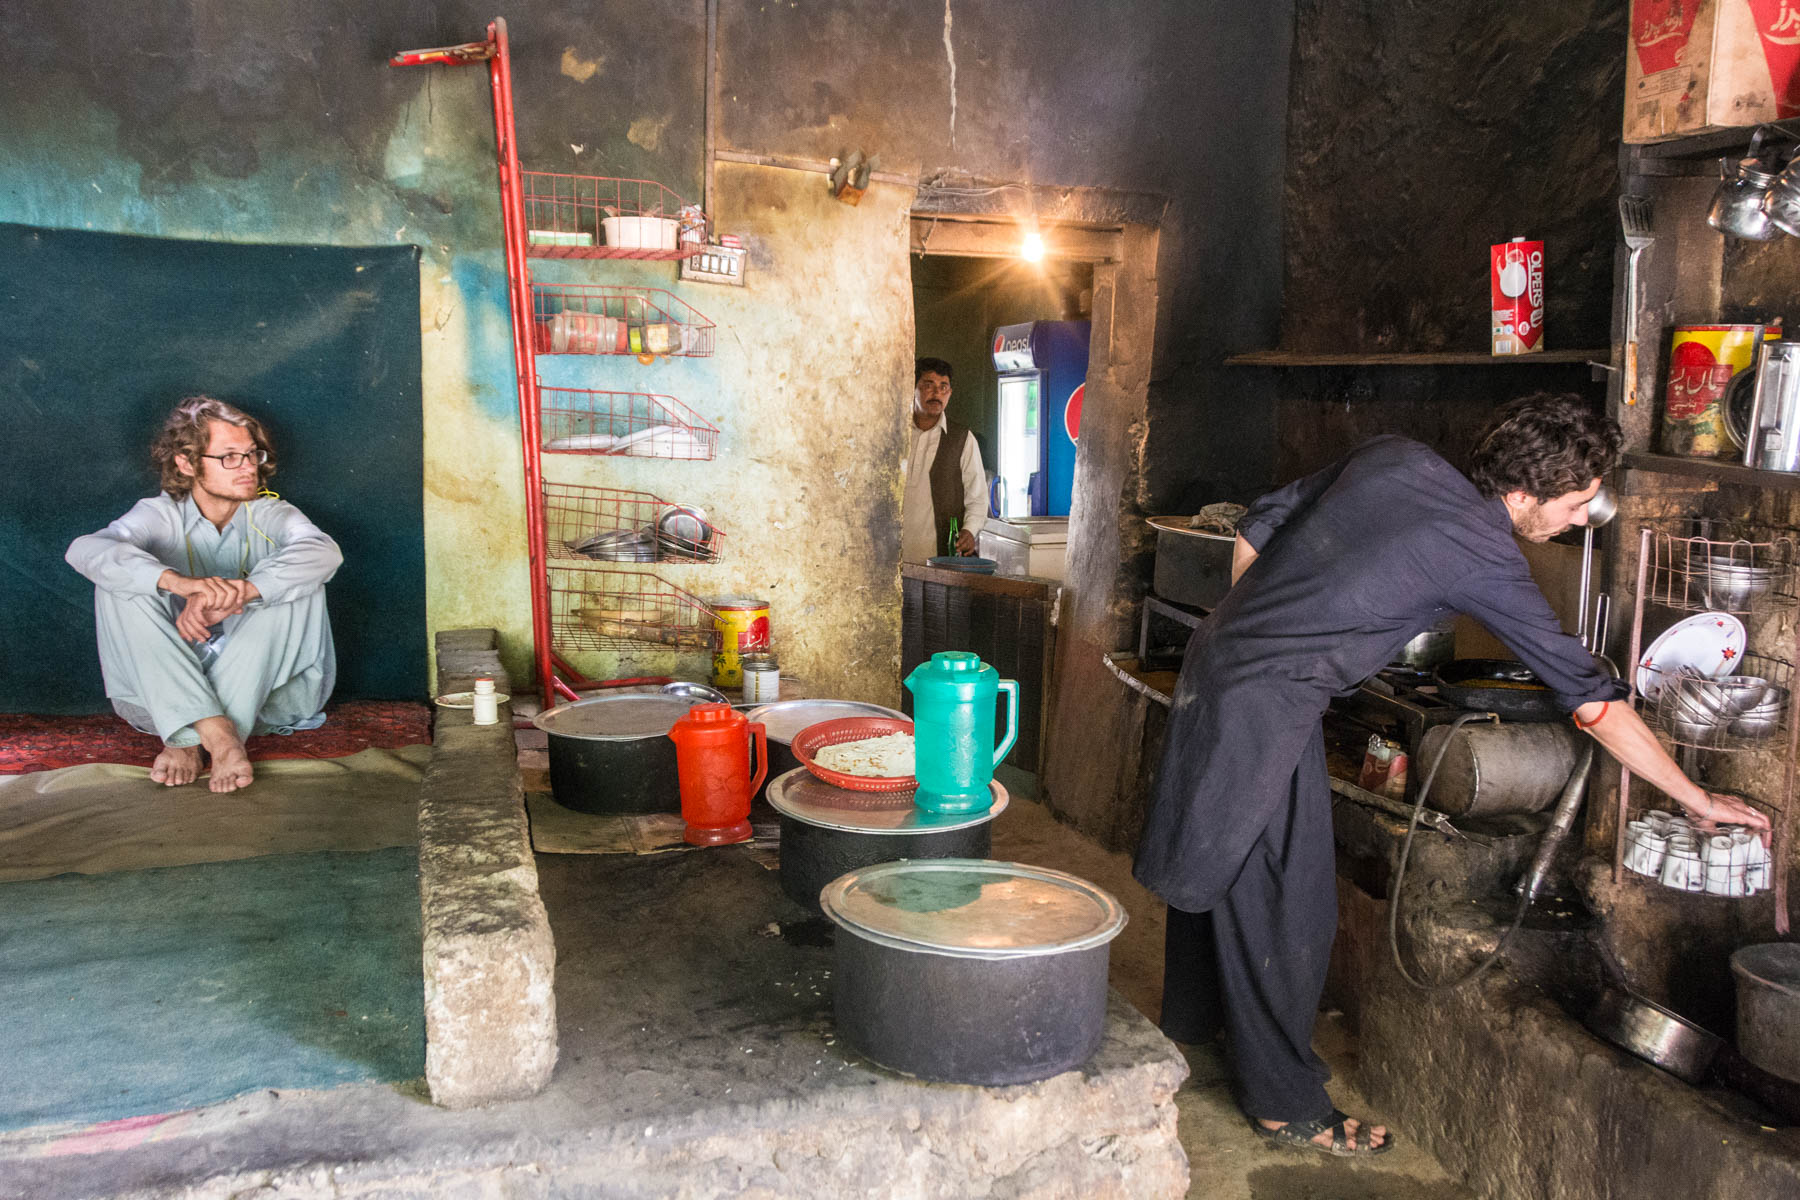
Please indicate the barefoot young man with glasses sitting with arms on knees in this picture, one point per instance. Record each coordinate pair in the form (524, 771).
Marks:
(210, 600)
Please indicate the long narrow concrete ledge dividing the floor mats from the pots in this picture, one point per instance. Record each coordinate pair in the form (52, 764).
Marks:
(490, 963)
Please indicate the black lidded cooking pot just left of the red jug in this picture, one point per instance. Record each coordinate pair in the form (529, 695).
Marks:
(613, 755)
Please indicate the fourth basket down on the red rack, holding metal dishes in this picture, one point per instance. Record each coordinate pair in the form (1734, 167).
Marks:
(618, 526)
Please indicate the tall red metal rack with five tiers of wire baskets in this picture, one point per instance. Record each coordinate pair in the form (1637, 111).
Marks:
(568, 213)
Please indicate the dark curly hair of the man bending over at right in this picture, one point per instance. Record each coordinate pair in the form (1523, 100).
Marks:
(1545, 445)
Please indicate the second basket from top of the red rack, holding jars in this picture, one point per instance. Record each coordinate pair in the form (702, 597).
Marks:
(609, 319)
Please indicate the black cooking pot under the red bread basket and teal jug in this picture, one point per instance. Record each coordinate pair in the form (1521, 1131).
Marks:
(829, 830)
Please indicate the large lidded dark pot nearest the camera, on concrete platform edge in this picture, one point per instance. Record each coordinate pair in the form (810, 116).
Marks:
(964, 971)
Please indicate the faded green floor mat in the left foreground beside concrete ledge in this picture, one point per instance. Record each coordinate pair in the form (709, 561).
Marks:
(159, 990)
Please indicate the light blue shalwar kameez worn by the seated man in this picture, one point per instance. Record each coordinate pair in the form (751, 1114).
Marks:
(269, 668)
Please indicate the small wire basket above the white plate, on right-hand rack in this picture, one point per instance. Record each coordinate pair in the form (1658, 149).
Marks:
(1722, 575)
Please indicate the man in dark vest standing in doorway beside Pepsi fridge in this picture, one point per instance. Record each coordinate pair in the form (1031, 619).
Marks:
(946, 487)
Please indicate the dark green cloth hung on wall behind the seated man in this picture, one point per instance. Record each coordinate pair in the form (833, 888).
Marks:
(103, 334)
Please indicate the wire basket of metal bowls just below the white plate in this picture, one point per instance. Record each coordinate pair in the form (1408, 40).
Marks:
(1740, 712)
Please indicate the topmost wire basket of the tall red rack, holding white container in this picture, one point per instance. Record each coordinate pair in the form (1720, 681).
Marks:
(589, 217)
